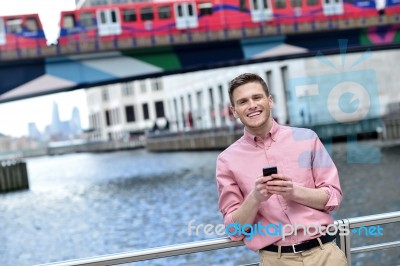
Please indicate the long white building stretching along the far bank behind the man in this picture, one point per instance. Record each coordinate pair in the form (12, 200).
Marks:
(314, 91)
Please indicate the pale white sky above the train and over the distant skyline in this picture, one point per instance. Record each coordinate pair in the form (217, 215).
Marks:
(15, 116)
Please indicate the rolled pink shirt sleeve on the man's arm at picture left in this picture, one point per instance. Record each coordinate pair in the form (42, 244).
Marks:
(229, 194)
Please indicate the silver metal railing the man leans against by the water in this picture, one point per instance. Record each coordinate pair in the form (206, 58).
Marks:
(220, 243)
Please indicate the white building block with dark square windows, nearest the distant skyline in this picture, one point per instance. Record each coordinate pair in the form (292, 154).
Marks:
(125, 110)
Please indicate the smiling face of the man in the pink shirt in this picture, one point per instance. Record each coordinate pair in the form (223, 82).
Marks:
(252, 106)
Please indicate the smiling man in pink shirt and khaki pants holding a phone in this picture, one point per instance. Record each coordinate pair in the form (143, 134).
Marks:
(298, 198)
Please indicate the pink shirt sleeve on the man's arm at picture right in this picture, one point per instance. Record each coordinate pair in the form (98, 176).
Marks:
(326, 176)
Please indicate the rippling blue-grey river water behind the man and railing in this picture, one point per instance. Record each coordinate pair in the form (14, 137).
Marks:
(84, 205)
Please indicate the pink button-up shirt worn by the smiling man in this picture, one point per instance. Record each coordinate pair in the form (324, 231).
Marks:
(297, 153)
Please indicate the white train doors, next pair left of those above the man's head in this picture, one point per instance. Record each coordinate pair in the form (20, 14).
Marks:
(185, 16)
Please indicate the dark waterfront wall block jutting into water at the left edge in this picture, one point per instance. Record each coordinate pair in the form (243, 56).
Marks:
(13, 175)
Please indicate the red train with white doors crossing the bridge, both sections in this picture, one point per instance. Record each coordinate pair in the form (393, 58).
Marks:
(167, 17)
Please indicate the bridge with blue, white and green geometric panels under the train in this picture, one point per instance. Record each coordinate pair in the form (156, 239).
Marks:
(39, 71)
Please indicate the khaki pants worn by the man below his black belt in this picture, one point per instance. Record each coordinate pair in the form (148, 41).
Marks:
(328, 254)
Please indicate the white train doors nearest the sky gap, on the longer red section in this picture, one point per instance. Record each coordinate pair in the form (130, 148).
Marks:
(108, 22)
